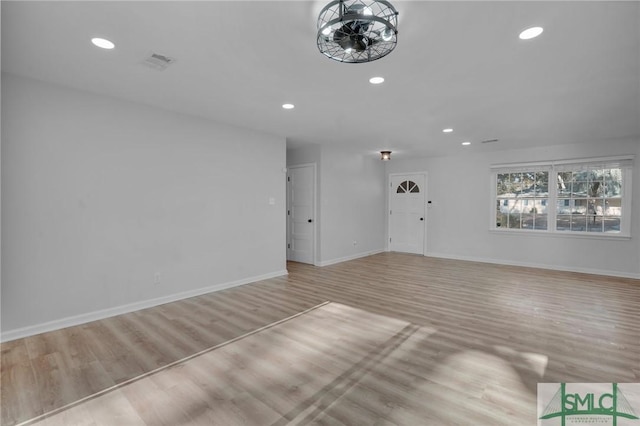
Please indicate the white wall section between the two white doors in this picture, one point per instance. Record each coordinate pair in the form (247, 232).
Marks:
(351, 200)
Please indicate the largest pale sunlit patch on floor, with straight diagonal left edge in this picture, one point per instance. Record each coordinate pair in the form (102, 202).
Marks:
(293, 371)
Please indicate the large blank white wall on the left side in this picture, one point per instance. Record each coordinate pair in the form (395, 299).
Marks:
(100, 195)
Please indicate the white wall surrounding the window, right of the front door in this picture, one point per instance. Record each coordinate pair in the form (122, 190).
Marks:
(459, 181)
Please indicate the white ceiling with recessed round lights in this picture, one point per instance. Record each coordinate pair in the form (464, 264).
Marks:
(457, 64)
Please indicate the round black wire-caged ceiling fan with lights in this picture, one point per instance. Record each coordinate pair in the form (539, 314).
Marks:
(357, 31)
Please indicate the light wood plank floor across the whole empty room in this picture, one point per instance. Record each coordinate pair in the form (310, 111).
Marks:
(403, 340)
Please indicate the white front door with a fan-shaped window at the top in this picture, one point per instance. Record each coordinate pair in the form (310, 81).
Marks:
(407, 213)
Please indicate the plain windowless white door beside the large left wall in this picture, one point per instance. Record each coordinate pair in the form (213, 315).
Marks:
(301, 213)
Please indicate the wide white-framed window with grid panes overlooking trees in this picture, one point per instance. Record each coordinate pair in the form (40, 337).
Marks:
(588, 196)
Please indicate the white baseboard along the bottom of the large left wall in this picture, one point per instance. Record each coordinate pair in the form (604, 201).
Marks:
(124, 309)
